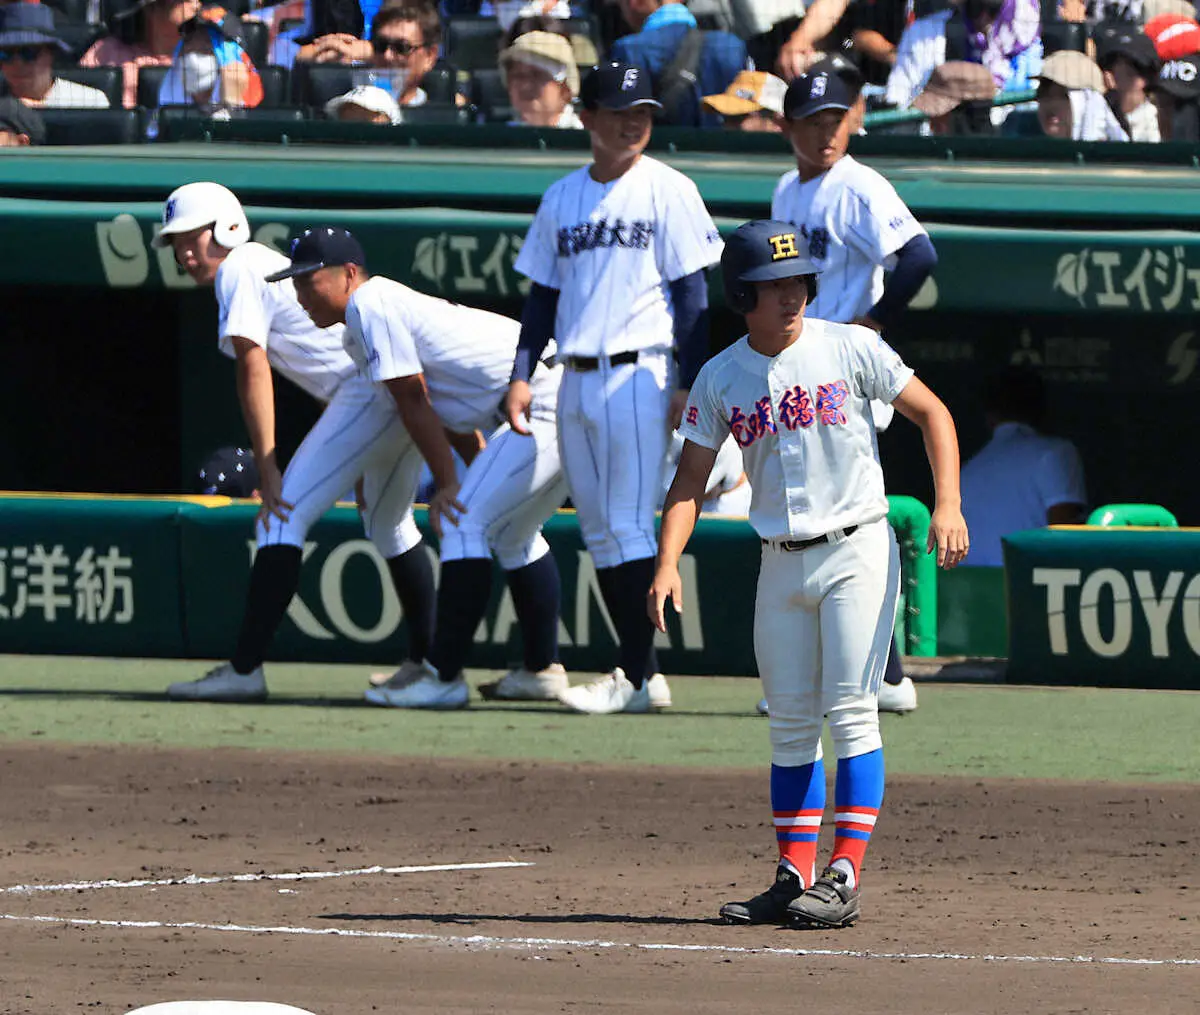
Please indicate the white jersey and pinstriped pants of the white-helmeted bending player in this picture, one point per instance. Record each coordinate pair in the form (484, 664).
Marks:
(357, 435)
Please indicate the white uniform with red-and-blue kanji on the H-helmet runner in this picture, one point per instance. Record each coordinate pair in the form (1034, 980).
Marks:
(824, 616)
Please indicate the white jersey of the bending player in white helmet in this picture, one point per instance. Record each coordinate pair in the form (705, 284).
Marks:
(267, 314)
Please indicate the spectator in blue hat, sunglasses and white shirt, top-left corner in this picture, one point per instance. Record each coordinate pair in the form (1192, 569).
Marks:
(28, 46)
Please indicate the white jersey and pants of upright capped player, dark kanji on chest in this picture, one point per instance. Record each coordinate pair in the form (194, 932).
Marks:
(611, 250)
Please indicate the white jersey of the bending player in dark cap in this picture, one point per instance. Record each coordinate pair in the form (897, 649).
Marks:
(465, 355)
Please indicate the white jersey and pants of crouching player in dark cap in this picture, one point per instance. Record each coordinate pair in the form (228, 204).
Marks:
(466, 357)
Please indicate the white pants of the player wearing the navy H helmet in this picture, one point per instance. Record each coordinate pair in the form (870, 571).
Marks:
(824, 621)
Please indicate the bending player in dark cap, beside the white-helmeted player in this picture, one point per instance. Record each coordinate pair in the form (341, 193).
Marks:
(446, 369)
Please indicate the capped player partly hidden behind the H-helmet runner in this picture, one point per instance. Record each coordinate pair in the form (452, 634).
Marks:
(855, 227)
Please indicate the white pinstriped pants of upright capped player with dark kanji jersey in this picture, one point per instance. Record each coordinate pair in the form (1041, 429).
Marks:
(614, 435)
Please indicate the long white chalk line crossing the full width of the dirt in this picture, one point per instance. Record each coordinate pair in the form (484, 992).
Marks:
(560, 944)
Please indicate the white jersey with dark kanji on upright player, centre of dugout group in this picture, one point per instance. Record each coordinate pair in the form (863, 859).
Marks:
(611, 249)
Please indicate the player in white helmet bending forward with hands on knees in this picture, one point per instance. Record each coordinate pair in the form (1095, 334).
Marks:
(357, 439)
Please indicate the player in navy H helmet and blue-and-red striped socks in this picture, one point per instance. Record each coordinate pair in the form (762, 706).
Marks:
(796, 395)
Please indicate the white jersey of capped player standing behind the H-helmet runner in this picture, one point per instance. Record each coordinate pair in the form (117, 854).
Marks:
(854, 223)
